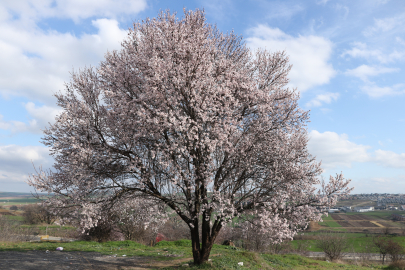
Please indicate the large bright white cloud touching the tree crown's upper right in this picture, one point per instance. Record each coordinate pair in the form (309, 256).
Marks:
(309, 55)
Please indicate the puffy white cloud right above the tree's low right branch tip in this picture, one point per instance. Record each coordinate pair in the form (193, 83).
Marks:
(336, 150)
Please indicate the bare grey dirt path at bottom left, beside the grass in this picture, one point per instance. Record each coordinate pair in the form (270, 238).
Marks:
(40, 260)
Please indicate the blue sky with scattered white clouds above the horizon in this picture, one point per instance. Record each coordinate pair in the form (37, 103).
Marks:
(348, 64)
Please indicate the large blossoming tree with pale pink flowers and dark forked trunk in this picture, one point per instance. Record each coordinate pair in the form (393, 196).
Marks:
(188, 116)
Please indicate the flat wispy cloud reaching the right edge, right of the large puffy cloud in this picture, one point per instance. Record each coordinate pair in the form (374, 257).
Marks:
(360, 50)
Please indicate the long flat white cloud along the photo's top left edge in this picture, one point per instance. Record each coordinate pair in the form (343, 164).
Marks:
(73, 9)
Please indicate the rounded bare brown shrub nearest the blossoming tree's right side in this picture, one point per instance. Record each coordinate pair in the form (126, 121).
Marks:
(333, 245)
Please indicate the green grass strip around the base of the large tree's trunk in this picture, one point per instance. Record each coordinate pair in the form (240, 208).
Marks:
(222, 257)
